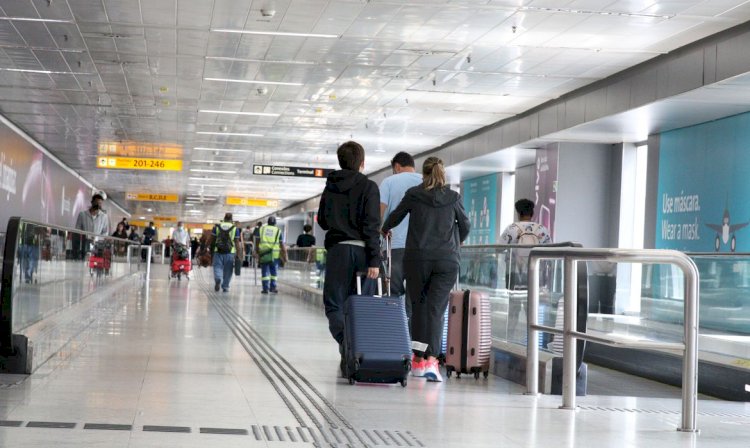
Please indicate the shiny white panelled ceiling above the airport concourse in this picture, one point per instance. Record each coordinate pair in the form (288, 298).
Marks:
(393, 75)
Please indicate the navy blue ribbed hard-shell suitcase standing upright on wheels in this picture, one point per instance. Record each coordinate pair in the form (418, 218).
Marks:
(376, 338)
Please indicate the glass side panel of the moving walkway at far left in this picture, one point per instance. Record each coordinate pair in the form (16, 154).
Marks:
(57, 267)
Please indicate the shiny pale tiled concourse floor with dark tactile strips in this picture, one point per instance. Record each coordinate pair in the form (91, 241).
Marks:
(170, 359)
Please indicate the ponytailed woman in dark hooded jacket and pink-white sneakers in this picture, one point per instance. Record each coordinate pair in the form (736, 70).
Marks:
(437, 226)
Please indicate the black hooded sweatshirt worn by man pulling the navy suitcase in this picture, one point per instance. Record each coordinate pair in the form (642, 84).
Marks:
(350, 210)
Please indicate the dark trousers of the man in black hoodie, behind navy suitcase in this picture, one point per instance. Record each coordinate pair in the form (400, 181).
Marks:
(344, 261)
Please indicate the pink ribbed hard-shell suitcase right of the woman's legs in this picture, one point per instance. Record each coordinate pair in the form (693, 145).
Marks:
(469, 334)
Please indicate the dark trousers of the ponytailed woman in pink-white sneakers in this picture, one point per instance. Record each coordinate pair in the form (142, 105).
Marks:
(429, 285)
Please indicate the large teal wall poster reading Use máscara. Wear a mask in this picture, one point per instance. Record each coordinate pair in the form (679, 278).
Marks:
(703, 186)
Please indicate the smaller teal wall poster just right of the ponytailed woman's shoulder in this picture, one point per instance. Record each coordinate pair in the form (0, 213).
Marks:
(480, 202)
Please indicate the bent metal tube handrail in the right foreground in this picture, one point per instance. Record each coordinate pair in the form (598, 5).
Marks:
(570, 257)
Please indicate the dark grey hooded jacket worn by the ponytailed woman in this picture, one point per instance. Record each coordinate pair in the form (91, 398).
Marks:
(437, 223)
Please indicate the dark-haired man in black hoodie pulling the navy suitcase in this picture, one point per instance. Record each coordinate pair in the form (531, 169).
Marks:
(350, 212)
